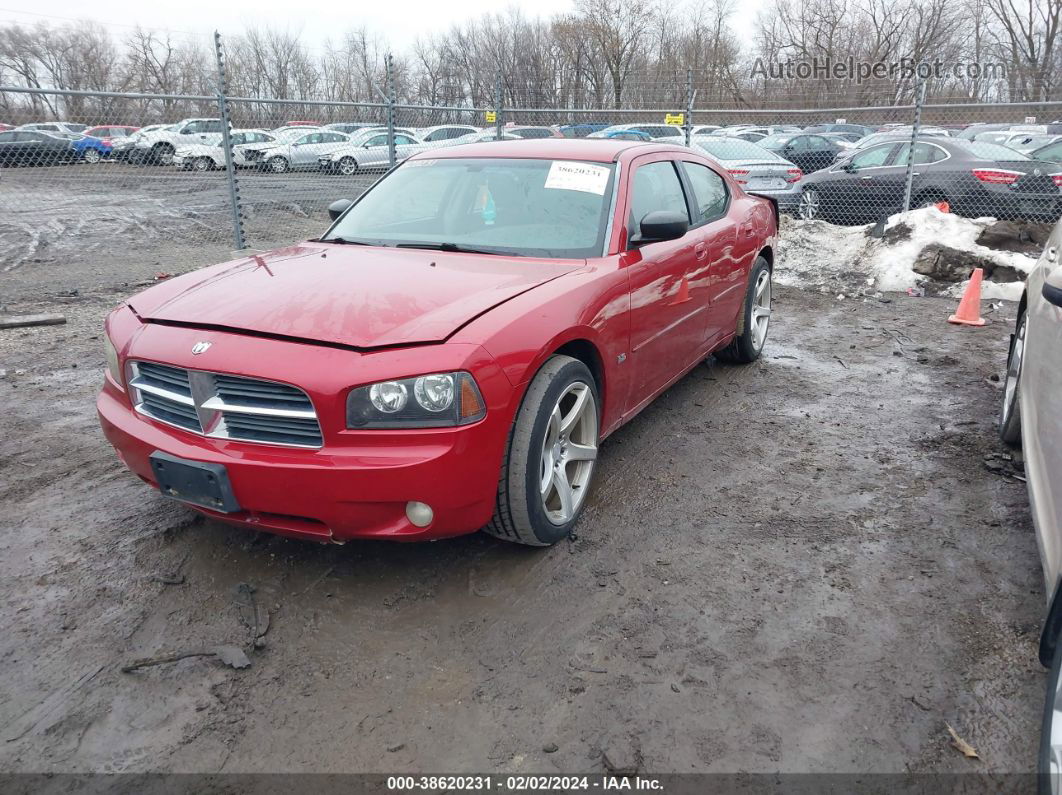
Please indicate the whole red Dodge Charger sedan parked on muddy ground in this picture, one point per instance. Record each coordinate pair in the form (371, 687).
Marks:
(450, 355)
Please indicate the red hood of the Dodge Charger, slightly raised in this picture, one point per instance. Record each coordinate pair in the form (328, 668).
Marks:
(357, 297)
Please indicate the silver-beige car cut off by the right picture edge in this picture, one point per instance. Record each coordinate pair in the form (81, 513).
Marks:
(1033, 418)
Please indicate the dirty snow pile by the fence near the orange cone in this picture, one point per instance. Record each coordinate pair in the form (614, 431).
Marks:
(847, 260)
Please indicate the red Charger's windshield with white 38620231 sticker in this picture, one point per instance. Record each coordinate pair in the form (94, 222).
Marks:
(529, 209)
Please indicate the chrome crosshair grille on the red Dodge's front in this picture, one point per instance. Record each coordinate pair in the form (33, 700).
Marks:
(226, 407)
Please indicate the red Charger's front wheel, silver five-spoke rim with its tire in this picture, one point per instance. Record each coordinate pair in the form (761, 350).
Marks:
(551, 460)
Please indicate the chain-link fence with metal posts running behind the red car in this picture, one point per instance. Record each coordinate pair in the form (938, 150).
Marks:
(160, 184)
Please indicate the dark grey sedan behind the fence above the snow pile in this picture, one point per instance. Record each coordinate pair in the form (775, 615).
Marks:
(975, 178)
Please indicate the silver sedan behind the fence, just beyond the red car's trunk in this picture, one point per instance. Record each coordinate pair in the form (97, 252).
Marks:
(758, 170)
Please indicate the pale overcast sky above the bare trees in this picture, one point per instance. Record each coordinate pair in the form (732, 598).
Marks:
(399, 22)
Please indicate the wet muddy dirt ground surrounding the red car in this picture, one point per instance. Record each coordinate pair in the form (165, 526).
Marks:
(803, 565)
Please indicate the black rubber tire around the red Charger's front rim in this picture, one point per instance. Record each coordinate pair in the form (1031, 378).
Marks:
(520, 514)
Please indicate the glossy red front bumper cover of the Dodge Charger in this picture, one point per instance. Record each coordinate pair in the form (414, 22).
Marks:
(358, 485)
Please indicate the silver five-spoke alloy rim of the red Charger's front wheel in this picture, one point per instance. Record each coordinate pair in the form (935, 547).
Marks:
(569, 453)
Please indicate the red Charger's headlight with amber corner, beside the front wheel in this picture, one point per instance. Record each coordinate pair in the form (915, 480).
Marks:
(437, 401)
